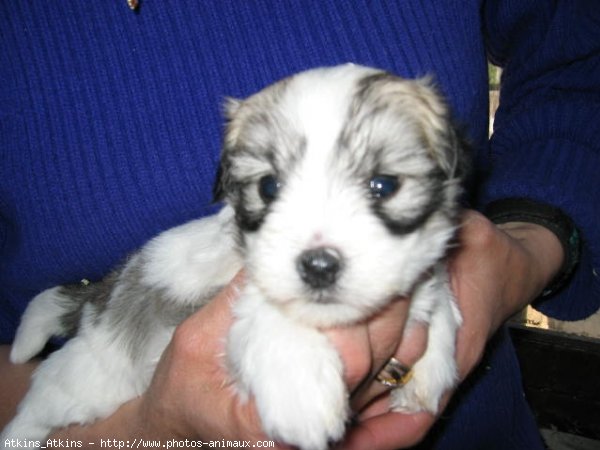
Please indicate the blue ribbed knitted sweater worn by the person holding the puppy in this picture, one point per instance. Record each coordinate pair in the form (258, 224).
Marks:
(110, 128)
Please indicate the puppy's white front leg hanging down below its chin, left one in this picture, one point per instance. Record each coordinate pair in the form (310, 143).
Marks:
(293, 372)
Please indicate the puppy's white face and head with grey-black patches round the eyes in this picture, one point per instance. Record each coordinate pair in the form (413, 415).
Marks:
(344, 182)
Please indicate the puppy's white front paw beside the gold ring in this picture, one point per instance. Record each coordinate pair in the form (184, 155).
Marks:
(432, 378)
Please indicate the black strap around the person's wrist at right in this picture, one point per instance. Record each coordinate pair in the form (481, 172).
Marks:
(525, 210)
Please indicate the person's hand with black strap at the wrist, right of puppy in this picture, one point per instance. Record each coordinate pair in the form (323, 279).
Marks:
(494, 273)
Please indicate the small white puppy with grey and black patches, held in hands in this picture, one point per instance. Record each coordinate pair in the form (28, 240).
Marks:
(341, 189)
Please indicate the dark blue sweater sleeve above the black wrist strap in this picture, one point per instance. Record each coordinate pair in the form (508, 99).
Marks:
(545, 144)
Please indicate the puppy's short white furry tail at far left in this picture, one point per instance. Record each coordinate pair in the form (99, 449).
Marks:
(46, 316)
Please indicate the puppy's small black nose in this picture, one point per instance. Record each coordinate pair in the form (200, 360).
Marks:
(319, 267)
